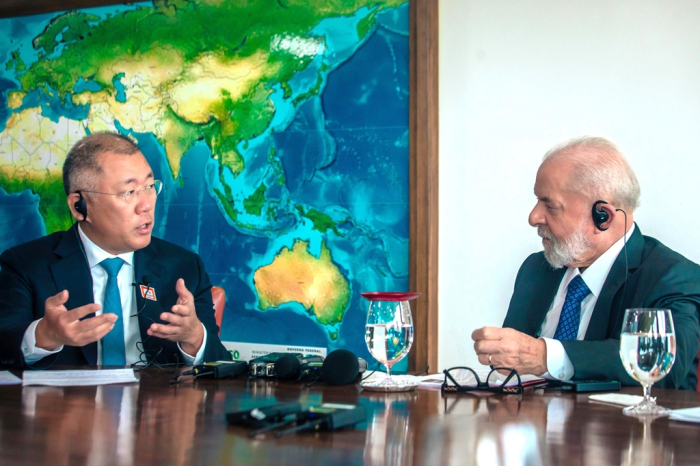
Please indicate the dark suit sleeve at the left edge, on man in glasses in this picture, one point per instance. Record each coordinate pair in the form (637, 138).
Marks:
(16, 309)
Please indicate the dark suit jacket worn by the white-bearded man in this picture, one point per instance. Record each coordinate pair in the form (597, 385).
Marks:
(657, 278)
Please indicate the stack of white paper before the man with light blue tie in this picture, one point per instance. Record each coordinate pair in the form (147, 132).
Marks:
(78, 377)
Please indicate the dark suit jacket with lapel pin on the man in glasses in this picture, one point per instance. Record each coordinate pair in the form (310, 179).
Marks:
(37, 270)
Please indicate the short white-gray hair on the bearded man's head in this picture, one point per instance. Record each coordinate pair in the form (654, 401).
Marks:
(600, 171)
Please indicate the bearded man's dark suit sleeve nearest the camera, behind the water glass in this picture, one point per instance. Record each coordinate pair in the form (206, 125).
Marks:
(677, 289)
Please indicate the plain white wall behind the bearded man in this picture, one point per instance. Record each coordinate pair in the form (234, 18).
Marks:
(517, 77)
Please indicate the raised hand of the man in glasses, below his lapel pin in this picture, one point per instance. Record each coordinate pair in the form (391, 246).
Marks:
(182, 326)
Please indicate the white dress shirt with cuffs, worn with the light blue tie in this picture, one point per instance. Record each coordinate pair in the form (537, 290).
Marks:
(127, 292)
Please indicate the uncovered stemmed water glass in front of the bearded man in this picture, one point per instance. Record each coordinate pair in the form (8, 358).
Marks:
(647, 350)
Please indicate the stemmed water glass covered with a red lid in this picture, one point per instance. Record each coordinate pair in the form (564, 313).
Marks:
(389, 330)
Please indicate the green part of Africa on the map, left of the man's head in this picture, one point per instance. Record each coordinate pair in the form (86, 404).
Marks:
(52, 199)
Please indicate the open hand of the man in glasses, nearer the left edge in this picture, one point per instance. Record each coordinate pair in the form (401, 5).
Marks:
(63, 327)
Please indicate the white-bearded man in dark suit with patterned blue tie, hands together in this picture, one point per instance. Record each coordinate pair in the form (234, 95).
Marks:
(565, 315)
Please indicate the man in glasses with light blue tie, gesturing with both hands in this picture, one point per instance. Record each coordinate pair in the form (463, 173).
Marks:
(105, 291)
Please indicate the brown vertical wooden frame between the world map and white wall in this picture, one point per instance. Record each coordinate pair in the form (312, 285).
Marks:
(423, 169)
